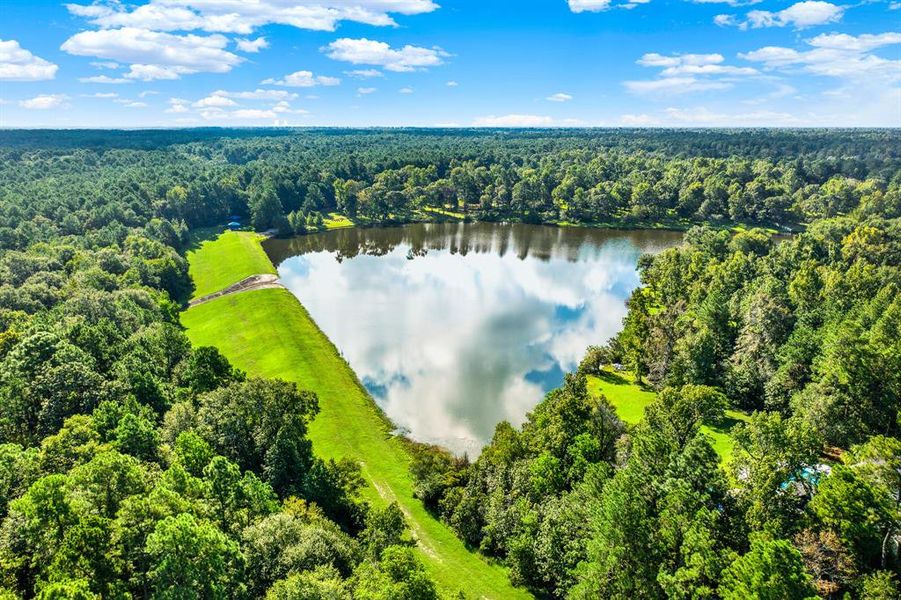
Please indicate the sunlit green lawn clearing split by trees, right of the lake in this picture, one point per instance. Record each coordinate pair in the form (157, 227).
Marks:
(630, 399)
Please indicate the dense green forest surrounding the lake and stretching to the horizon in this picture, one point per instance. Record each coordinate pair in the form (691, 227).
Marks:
(133, 465)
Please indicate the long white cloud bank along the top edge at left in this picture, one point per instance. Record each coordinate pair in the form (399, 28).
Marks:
(243, 17)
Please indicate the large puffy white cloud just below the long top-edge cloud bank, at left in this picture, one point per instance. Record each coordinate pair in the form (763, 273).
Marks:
(155, 55)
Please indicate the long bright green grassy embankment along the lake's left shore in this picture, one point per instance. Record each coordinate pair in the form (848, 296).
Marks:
(269, 333)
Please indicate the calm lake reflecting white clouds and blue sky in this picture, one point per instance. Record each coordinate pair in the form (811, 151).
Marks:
(456, 327)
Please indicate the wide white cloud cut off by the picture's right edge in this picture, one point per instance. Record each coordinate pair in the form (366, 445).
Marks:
(835, 55)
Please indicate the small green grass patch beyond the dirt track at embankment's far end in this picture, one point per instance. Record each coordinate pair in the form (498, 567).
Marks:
(217, 263)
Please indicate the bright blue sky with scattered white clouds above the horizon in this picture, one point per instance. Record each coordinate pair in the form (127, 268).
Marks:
(152, 63)
